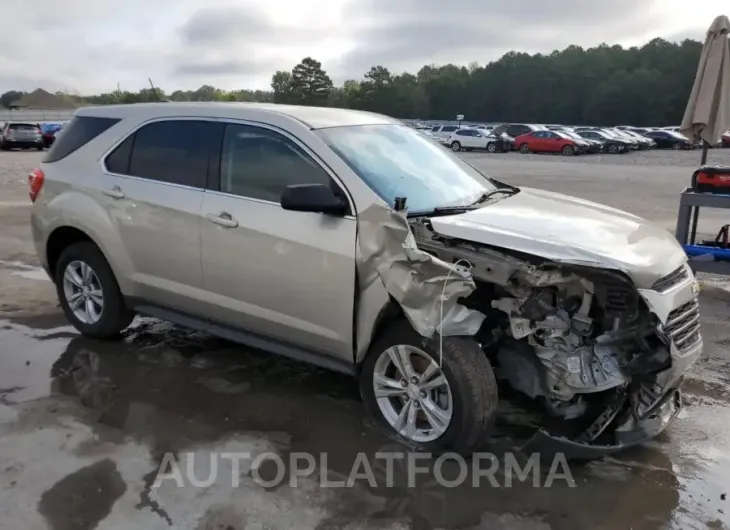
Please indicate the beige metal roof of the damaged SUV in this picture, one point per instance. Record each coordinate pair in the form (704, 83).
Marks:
(312, 117)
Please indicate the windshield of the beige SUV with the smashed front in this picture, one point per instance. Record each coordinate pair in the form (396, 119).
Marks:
(395, 161)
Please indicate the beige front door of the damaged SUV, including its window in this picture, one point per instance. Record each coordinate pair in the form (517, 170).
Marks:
(284, 274)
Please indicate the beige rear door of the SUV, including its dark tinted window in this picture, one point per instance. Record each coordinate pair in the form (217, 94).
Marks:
(154, 190)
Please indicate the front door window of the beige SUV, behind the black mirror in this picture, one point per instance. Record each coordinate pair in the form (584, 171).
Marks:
(260, 163)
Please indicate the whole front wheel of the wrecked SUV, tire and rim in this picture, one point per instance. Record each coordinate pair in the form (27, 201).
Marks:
(427, 406)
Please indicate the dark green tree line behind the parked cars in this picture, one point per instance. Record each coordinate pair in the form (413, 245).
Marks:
(610, 85)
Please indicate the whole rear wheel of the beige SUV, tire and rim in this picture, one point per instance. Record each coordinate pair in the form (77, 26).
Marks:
(89, 293)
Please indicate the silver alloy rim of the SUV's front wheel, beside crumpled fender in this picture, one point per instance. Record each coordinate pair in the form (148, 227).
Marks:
(412, 393)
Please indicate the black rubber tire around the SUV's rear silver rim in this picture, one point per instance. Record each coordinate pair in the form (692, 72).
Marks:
(111, 315)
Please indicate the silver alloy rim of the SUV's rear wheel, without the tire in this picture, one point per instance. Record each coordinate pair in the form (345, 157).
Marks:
(83, 292)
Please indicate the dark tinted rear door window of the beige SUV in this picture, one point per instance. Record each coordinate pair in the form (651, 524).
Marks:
(174, 151)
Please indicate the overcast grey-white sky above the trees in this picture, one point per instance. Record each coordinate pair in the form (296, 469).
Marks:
(88, 46)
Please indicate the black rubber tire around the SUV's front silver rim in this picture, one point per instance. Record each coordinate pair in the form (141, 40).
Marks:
(471, 382)
